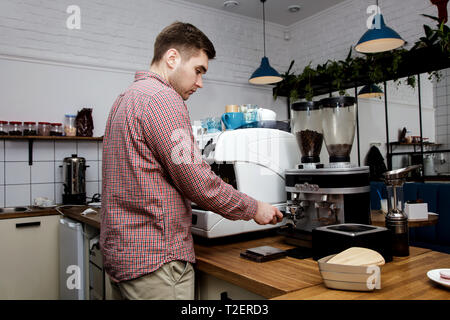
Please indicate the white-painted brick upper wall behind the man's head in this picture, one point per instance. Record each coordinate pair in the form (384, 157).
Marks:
(120, 34)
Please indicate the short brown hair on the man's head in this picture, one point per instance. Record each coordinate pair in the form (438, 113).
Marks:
(184, 37)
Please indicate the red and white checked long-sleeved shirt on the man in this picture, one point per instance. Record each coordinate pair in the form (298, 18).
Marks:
(152, 170)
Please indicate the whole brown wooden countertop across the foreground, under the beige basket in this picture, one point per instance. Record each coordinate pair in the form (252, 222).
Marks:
(290, 278)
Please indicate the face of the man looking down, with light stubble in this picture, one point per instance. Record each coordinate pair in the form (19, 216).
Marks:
(186, 77)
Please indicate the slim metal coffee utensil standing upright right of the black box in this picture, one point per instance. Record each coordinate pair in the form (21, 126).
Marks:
(396, 219)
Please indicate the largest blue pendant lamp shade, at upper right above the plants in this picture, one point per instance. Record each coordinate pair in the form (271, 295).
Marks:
(380, 38)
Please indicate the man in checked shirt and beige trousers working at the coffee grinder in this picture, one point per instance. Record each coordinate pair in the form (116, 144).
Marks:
(149, 182)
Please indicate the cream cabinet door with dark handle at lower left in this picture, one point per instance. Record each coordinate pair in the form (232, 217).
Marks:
(29, 258)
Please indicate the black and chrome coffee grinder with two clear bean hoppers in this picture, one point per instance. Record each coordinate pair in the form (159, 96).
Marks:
(317, 194)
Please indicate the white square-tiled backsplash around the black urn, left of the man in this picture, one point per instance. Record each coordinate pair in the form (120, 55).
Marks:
(20, 183)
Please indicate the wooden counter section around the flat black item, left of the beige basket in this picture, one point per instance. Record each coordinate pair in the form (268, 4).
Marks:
(268, 279)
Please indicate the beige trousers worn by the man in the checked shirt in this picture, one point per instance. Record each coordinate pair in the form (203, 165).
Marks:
(174, 280)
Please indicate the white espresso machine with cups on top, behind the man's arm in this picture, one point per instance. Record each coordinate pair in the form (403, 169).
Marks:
(253, 161)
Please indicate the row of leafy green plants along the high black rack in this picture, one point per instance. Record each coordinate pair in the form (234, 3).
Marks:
(373, 68)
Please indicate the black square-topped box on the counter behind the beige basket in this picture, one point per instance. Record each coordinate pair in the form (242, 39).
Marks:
(332, 239)
